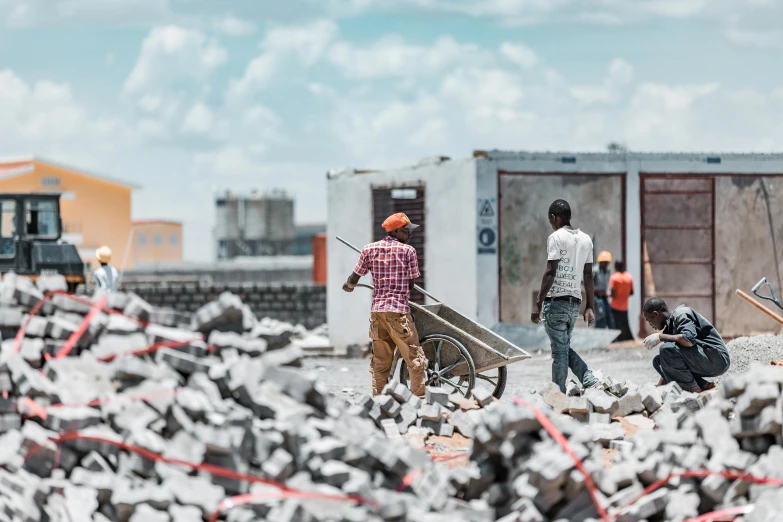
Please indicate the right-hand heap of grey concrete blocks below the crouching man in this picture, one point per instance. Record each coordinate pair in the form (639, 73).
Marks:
(519, 469)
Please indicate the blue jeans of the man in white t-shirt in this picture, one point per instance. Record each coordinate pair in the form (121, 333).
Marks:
(559, 320)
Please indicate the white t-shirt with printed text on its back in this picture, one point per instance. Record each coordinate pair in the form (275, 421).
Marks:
(573, 248)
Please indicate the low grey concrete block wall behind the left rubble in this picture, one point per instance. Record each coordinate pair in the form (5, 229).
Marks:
(294, 303)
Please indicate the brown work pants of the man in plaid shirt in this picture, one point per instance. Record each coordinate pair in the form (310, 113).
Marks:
(390, 329)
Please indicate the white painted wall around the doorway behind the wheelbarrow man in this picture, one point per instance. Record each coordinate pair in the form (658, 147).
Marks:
(450, 244)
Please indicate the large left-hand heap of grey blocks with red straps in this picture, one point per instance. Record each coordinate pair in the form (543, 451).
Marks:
(120, 431)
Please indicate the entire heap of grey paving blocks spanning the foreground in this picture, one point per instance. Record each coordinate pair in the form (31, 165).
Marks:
(155, 415)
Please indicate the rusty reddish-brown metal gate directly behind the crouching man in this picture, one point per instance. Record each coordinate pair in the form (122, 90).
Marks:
(678, 242)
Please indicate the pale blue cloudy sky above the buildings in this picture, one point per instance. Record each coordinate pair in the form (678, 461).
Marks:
(189, 97)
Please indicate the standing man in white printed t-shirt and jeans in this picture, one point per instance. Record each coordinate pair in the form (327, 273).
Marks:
(569, 263)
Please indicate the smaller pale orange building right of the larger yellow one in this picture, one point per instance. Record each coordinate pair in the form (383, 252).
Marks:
(156, 241)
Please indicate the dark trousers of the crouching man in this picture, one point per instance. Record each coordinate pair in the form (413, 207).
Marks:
(688, 366)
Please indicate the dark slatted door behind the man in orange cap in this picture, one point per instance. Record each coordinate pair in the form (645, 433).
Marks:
(410, 200)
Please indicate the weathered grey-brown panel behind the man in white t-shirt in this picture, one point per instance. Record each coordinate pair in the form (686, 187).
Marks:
(597, 208)
